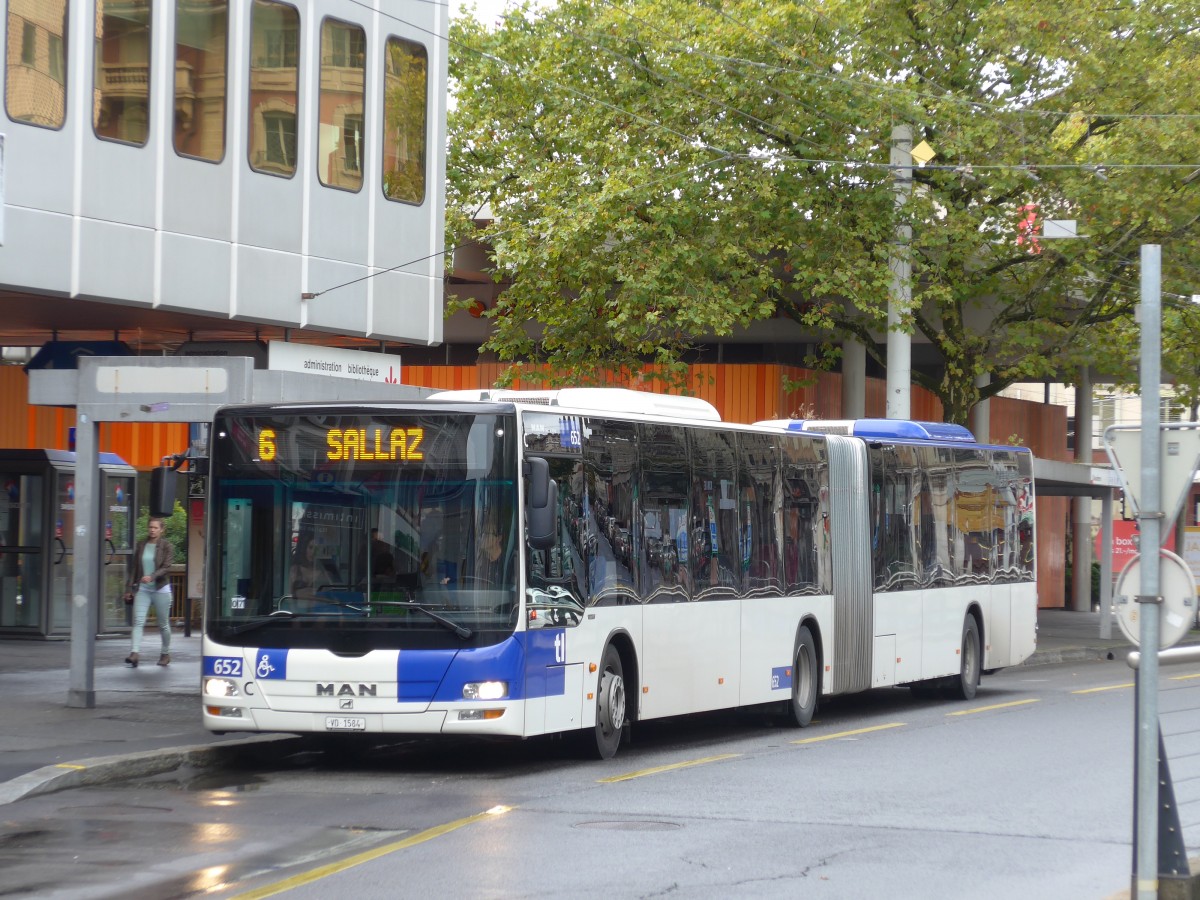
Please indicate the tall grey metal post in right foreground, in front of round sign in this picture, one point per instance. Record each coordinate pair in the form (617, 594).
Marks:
(1150, 519)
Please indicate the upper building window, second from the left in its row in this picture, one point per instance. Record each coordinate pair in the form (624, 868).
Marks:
(122, 77)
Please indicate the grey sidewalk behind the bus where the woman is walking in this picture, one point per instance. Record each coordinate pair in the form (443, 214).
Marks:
(147, 721)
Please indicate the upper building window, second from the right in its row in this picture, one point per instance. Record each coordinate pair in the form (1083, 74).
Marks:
(341, 104)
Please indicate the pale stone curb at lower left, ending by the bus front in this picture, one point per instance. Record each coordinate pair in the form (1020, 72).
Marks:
(110, 770)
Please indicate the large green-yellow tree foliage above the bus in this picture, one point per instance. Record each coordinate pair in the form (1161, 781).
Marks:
(663, 171)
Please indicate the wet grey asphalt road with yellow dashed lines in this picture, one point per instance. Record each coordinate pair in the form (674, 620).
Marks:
(1025, 793)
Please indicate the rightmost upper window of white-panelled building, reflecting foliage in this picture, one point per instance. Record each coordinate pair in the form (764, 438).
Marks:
(405, 104)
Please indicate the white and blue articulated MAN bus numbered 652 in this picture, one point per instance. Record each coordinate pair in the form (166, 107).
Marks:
(577, 561)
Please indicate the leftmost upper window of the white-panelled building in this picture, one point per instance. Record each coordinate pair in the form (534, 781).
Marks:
(35, 71)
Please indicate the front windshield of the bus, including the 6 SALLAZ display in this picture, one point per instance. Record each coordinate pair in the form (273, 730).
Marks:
(356, 532)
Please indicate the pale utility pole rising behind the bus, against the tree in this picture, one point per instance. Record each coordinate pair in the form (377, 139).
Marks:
(899, 382)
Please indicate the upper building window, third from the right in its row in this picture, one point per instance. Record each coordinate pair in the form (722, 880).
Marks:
(274, 87)
